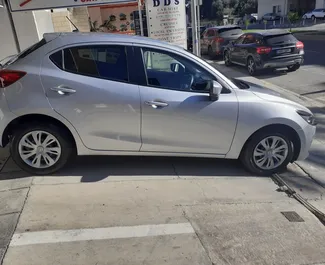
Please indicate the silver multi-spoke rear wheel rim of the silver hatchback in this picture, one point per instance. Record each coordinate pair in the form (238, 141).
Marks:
(39, 149)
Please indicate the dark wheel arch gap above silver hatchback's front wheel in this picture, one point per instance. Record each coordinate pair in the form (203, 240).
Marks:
(280, 128)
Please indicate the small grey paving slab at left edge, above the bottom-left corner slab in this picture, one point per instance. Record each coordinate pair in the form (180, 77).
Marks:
(12, 201)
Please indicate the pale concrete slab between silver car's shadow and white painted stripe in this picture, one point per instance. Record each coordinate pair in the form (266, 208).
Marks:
(87, 205)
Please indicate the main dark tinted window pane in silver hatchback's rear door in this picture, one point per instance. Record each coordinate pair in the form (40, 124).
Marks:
(107, 62)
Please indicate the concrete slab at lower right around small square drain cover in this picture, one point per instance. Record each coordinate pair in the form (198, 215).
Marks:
(258, 234)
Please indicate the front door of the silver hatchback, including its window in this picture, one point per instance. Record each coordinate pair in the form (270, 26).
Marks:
(177, 114)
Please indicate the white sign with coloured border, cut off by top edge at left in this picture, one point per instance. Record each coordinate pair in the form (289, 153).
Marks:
(25, 5)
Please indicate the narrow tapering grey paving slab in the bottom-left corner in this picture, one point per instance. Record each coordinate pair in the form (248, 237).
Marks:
(7, 226)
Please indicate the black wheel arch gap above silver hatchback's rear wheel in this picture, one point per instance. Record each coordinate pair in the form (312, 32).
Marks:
(34, 118)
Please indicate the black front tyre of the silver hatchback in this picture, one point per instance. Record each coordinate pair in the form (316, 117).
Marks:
(250, 161)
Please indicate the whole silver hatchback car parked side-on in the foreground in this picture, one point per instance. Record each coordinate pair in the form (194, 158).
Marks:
(101, 94)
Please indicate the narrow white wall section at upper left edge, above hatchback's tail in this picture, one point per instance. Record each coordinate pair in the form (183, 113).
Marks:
(8, 46)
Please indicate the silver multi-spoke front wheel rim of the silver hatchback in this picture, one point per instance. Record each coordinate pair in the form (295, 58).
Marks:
(270, 153)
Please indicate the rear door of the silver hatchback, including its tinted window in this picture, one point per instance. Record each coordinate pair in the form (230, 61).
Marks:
(89, 86)
